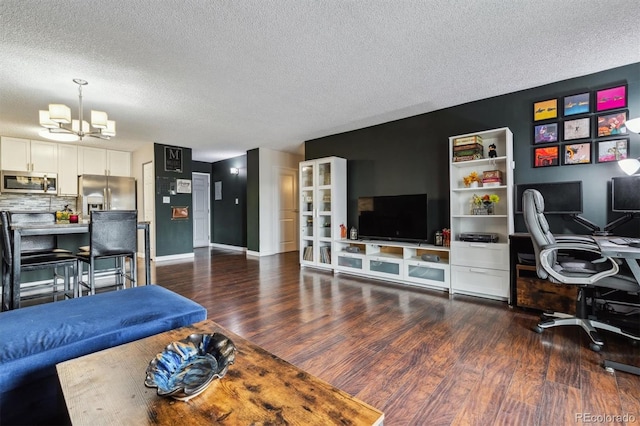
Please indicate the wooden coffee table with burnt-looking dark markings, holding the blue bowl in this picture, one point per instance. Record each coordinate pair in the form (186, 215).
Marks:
(107, 387)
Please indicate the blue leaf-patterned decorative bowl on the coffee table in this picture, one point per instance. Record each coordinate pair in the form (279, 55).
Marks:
(185, 368)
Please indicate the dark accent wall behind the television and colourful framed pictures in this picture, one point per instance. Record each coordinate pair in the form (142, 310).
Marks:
(411, 155)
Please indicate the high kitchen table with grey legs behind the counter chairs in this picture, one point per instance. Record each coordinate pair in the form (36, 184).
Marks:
(12, 295)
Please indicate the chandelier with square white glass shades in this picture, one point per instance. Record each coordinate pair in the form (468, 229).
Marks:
(59, 125)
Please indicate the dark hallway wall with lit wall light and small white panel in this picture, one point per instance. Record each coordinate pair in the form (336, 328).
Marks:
(229, 218)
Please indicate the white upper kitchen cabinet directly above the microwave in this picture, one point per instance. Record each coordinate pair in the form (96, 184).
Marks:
(28, 155)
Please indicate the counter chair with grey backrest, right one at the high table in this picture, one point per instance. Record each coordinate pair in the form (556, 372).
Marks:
(112, 235)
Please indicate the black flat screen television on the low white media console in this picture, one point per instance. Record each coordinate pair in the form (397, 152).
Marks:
(393, 217)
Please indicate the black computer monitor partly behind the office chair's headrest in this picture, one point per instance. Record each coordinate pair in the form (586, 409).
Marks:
(559, 197)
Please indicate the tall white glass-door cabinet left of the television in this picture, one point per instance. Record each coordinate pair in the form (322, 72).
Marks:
(323, 208)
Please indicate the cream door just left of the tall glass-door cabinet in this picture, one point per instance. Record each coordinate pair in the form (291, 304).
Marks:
(287, 230)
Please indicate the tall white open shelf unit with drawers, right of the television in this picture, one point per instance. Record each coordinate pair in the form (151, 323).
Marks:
(482, 268)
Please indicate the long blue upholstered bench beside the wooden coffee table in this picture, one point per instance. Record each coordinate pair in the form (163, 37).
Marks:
(34, 339)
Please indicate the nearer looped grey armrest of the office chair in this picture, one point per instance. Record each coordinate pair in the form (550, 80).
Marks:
(548, 250)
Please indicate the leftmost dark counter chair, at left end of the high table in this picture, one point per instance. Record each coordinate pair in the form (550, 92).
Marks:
(36, 253)
